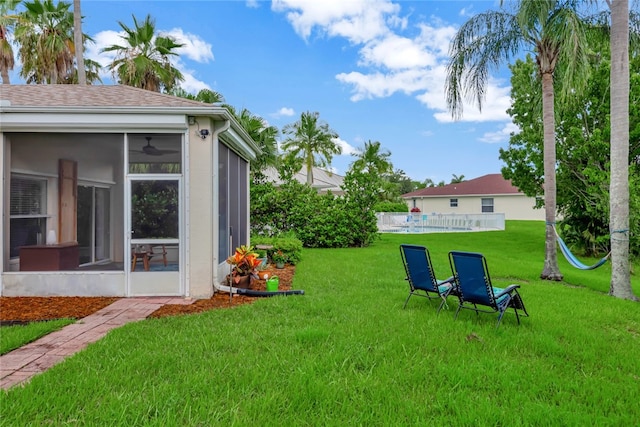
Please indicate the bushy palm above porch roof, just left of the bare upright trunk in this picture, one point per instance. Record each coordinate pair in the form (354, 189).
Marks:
(45, 36)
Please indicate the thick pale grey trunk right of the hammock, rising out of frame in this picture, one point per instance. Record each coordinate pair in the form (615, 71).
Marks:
(619, 185)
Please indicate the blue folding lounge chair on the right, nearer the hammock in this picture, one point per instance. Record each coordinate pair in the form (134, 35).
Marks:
(474, 287)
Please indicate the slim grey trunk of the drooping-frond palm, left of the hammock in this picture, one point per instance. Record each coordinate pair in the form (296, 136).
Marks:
(551, 270)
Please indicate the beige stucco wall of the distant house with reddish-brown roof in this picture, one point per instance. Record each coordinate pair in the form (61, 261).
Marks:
(515, 207)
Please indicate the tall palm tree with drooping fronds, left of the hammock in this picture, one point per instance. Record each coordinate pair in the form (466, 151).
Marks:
(554, 30)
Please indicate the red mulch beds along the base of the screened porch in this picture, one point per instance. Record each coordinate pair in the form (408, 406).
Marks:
(29, 309)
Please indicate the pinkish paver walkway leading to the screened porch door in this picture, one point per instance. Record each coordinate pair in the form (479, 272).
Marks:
(19, 365)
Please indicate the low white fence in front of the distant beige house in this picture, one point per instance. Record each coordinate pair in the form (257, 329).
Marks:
(407, 222)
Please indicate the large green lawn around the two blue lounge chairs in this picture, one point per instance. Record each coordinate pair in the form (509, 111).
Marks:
(347, 353)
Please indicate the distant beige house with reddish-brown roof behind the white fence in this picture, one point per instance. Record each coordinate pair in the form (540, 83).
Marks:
(486, 194)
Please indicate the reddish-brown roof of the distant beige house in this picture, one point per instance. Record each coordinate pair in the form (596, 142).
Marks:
(491, 184)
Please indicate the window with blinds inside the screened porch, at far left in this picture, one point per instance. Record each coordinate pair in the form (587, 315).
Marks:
(28, 213)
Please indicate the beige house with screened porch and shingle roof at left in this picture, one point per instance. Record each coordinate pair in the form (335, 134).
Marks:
(108, 174)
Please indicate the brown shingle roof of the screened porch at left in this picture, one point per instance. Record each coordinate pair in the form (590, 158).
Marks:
(90, 96)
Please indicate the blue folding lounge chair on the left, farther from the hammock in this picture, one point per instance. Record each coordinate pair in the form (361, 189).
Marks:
(420, 275)
